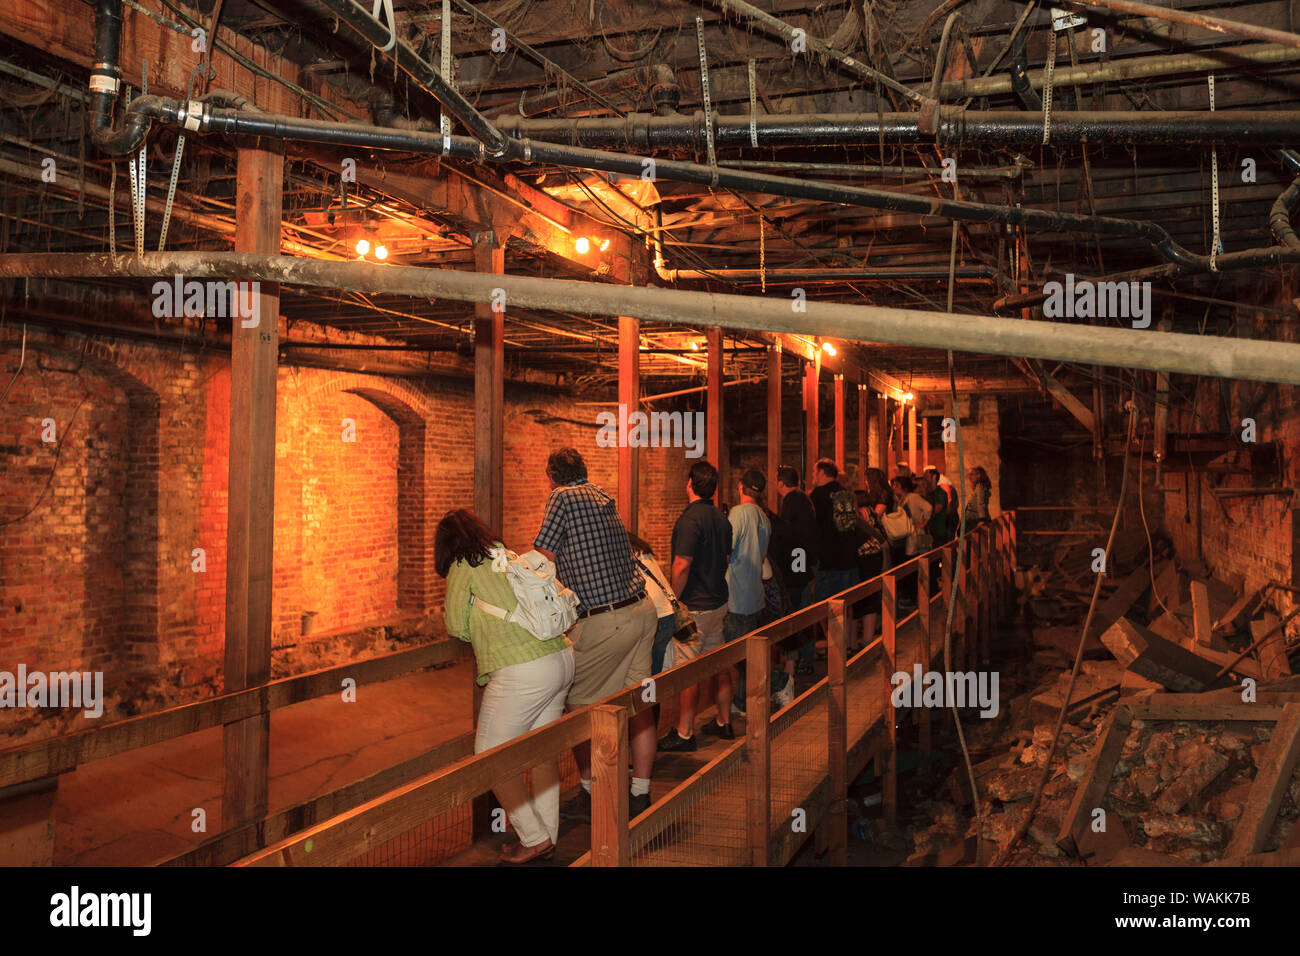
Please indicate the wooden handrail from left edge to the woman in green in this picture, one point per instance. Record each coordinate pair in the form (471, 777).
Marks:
(63, 754)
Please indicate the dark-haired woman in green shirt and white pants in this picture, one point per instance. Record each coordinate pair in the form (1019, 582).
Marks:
(527, 680)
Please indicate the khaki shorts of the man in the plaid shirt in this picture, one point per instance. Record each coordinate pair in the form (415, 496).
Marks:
(612, 651)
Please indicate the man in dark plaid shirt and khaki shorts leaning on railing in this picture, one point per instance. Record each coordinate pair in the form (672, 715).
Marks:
(614, 635)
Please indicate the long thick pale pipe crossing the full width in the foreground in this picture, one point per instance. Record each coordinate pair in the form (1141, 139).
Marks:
(1211, 356)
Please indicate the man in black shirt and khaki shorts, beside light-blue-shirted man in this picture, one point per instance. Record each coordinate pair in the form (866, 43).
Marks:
(701, 552)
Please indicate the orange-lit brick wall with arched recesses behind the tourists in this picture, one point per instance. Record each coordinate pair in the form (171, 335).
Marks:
(122, 565)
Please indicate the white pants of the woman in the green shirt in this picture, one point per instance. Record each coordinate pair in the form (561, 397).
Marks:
(519, 699)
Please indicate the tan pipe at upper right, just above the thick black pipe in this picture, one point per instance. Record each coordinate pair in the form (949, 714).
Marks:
(1133, 68)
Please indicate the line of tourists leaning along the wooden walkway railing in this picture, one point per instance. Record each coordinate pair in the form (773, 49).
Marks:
(635, 620)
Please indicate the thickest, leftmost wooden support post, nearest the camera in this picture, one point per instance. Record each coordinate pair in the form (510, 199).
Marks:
(252, 503)
